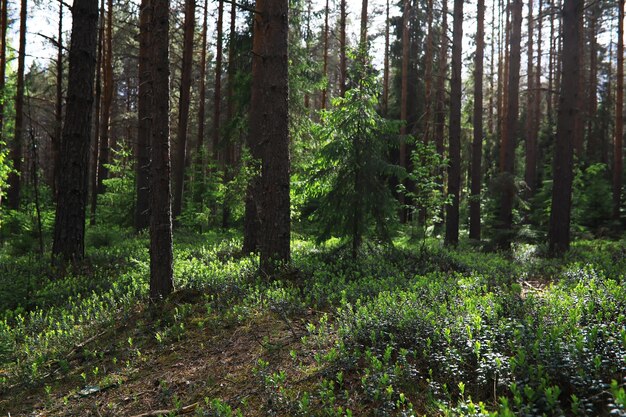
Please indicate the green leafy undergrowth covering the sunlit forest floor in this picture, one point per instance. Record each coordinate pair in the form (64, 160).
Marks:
(400, 331)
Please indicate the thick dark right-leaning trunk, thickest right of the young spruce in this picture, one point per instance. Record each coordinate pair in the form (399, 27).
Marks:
(559, 231)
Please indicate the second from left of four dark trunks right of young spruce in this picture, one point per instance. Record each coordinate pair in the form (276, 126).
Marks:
(477, 143)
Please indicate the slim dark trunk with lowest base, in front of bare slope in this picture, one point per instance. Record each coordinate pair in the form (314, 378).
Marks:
(161, 252)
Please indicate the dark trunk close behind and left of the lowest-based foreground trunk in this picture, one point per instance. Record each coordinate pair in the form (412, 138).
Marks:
(144, 122)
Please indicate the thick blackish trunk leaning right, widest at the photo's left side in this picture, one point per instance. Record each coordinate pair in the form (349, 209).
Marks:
(69, 224)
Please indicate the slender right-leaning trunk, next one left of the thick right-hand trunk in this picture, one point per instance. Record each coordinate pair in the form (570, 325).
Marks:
(509, 188)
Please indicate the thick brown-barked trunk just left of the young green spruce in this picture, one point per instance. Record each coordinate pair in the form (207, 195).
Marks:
(269, 123)
